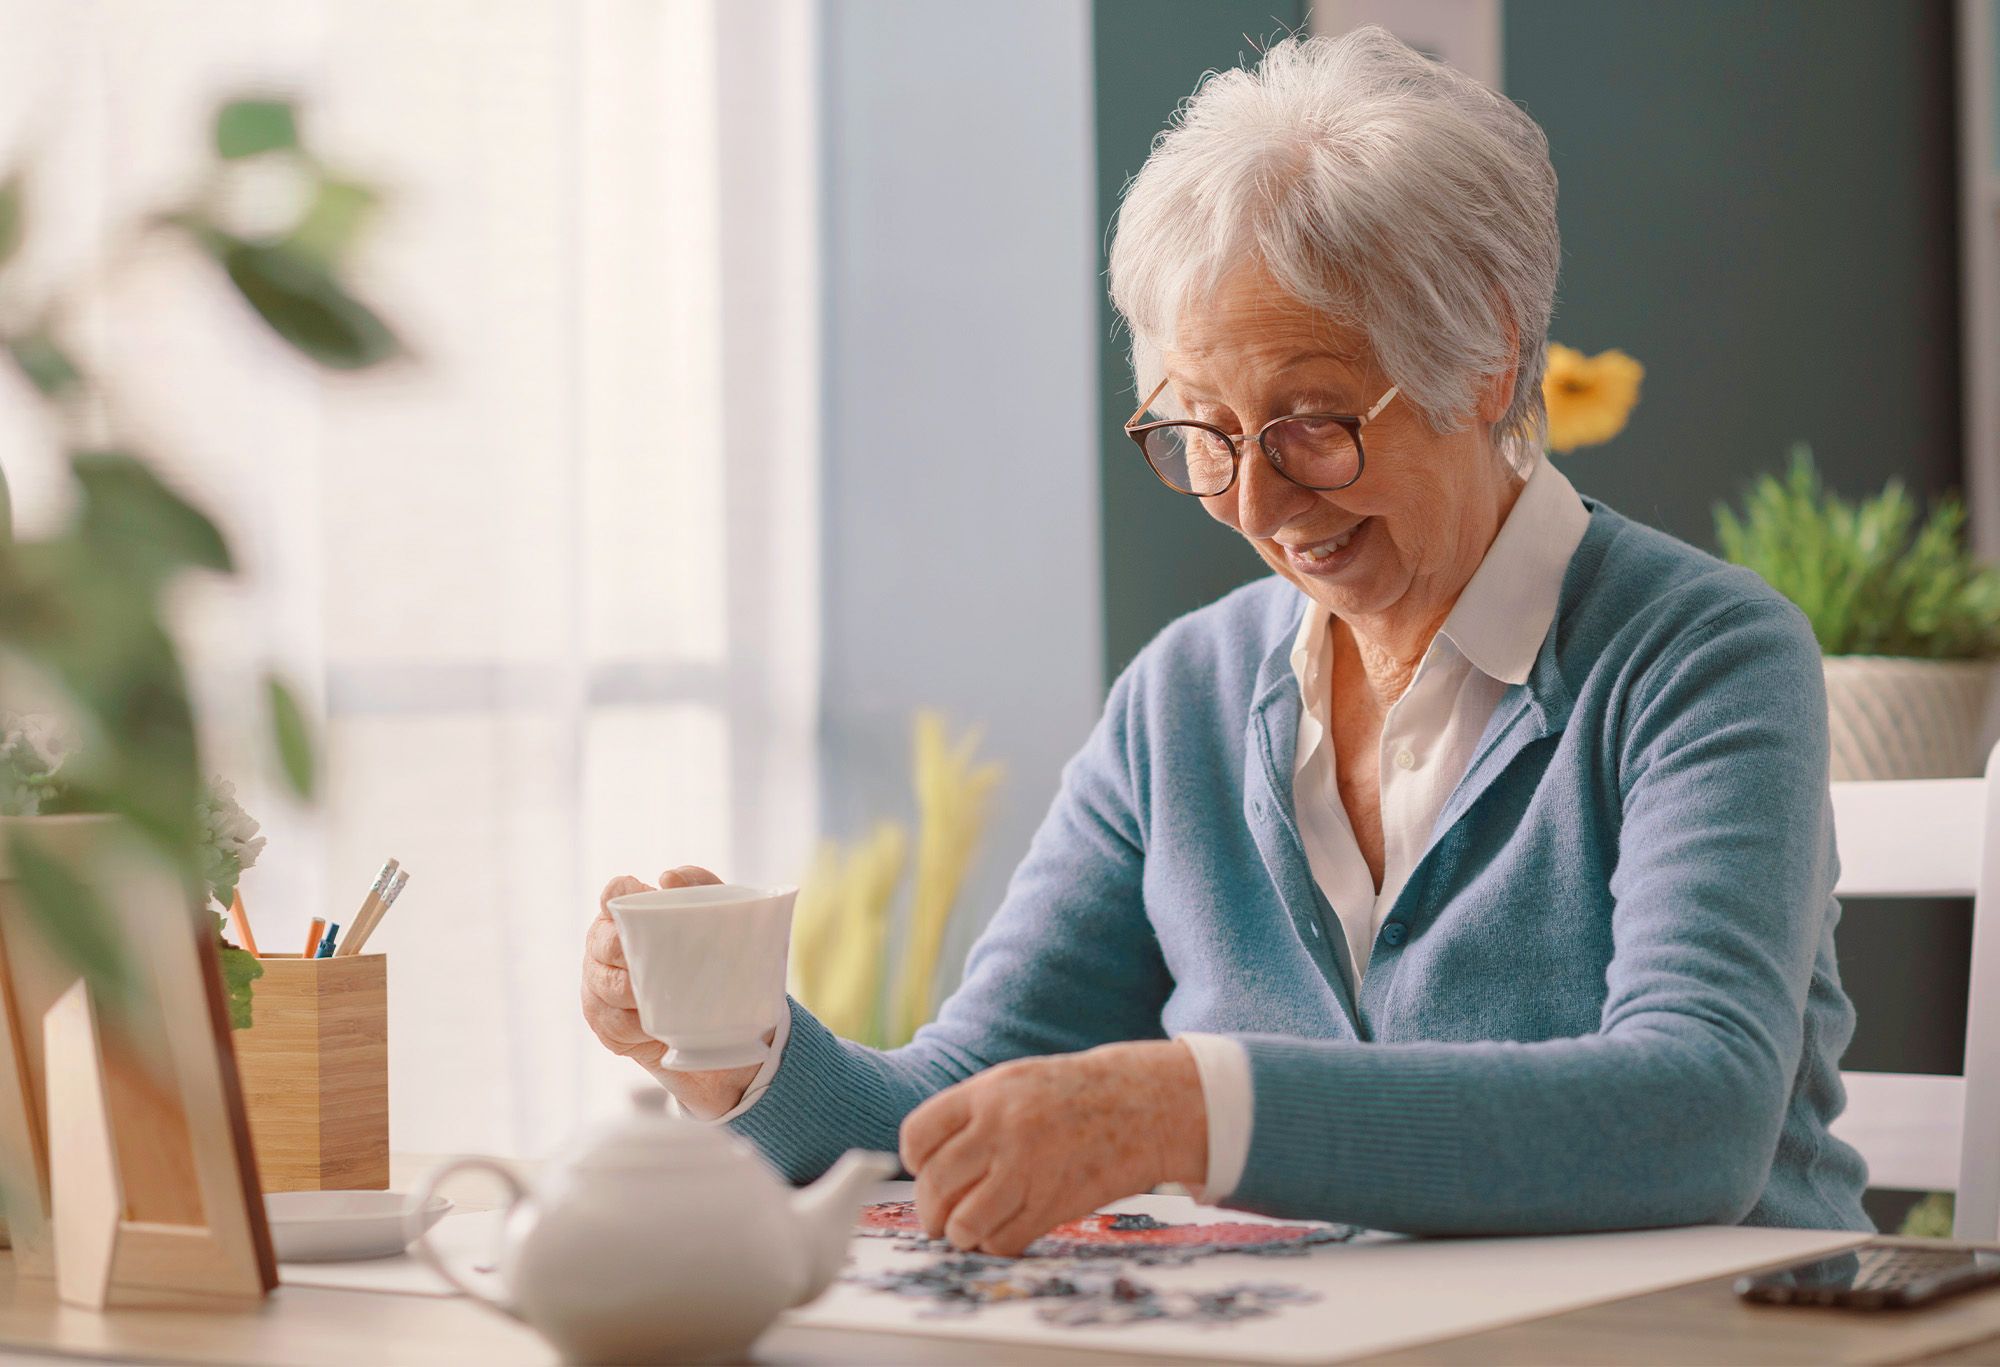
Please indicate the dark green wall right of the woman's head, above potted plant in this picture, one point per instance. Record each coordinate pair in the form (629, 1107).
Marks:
(1759, 205)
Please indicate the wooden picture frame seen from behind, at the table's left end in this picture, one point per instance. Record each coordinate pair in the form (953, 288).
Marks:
(125, 1152)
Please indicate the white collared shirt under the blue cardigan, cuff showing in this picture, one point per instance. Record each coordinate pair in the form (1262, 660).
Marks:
(1487, 645)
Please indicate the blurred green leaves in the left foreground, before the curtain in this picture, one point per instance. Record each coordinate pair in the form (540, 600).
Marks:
(81, 611)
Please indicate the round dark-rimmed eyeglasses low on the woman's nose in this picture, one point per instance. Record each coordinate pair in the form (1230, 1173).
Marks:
(1311, 451)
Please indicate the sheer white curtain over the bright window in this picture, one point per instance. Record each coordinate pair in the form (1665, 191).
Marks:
(551, 585)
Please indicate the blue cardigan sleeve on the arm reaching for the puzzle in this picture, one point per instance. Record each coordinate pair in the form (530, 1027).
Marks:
(1671, 1112)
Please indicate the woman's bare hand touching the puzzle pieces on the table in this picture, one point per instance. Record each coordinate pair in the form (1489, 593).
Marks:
(1009, 1154)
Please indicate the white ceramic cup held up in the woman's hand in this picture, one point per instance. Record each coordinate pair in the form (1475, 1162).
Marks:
(707, 968)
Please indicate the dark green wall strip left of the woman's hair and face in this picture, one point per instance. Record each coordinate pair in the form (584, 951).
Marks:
(1163, 555)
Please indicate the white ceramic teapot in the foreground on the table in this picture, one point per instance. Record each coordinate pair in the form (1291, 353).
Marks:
(661, 1240)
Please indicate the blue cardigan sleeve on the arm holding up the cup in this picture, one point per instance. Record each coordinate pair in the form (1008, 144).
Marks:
(1069, 962)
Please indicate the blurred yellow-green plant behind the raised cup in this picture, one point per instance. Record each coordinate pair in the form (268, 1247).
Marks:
(841, 962)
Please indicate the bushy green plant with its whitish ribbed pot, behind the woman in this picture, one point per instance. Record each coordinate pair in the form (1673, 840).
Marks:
(1907, 619)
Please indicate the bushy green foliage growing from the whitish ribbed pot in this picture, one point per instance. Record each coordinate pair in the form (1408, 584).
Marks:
(1869, 579)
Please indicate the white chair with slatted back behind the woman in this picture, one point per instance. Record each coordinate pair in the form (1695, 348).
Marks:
(1933, 838)
